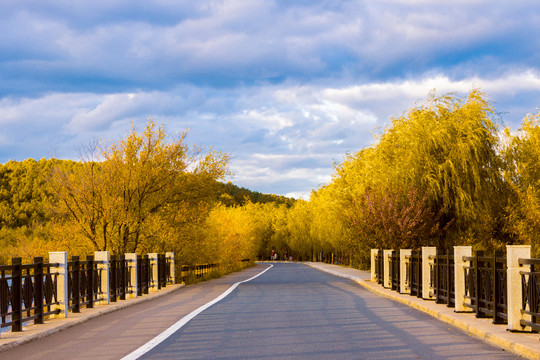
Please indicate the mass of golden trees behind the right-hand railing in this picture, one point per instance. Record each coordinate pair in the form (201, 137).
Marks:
(443, 173)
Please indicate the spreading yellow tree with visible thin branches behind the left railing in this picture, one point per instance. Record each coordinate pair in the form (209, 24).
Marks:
(123, 194)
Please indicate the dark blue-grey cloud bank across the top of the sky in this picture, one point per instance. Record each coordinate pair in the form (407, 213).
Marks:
(161, 44)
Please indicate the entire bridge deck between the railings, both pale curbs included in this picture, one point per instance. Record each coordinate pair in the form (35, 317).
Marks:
(273, 310)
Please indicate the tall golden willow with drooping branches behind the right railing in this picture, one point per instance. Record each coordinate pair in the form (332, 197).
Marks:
(432, 177)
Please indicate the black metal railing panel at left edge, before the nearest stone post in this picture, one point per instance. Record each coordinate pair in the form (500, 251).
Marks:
(27, 292)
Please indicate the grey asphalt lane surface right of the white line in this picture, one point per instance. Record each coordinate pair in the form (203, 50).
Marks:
(296, 312)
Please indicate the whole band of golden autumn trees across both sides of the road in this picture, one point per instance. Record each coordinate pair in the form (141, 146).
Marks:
(443, 173)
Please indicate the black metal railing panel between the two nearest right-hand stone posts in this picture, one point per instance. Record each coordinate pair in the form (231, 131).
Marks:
(486, 287)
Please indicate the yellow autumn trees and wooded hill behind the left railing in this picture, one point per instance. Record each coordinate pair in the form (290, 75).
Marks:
(148, 192)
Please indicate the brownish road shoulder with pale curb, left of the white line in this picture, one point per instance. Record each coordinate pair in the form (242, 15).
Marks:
(113, 331)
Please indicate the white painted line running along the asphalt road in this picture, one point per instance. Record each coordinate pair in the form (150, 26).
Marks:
(180, 323)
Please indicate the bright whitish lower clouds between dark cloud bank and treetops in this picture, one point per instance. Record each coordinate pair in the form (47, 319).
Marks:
(283, 138)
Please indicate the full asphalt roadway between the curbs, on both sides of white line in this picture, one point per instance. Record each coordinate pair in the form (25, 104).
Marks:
(292, 311)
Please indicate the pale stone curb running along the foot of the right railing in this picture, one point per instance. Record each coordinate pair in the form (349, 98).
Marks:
(475, 331)
